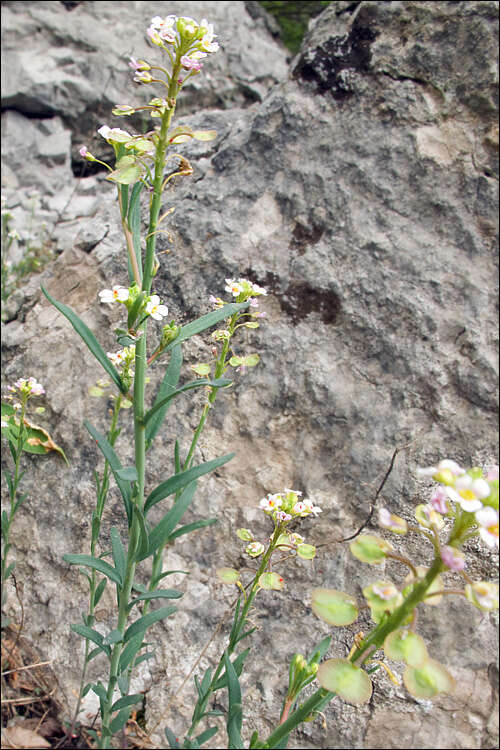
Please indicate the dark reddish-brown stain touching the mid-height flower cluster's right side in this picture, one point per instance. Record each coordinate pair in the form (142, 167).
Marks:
(300, 299)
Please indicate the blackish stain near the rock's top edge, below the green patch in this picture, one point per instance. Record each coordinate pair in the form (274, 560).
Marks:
(331, 65)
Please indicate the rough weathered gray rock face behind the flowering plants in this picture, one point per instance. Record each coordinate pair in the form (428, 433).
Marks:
(360, 188)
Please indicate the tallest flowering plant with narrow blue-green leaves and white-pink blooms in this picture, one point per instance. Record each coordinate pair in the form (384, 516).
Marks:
(143, 168)
